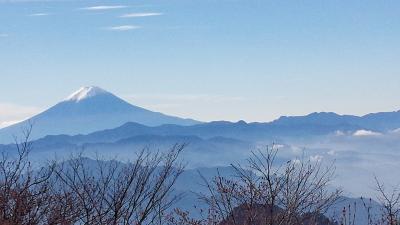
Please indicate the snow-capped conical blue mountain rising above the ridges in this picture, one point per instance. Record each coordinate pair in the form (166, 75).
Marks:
(87, 110)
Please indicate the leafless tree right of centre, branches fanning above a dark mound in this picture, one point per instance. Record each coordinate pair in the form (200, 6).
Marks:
(265, 192)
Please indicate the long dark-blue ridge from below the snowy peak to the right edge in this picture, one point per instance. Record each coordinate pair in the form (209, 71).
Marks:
(301, 126)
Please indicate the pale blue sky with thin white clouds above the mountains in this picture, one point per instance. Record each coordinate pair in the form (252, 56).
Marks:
(204, 59)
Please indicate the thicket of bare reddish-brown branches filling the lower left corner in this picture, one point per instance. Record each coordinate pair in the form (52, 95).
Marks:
(84, 191)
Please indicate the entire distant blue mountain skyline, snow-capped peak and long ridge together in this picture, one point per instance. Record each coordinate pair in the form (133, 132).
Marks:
(99, 116)
